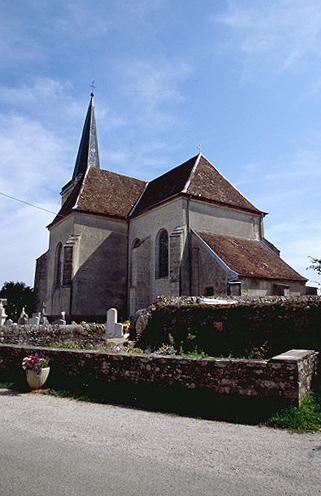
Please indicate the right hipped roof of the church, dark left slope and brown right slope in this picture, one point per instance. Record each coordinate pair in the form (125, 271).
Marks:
(196, 177)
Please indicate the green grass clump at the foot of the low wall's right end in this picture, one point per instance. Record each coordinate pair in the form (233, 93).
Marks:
(306, 418)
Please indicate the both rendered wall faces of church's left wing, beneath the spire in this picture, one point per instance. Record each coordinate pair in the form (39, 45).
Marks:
(94, 274)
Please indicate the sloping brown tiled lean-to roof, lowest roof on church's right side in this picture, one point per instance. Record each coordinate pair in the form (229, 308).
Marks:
(250, 257)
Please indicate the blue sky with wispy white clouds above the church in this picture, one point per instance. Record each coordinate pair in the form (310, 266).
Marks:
(240, 78)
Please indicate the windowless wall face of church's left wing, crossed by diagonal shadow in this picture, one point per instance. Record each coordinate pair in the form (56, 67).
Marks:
(100, 269)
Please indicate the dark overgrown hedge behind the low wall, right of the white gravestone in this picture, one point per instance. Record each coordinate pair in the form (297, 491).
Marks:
(253, 329)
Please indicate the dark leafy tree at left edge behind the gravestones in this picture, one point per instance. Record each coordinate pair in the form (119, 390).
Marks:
(18, 295)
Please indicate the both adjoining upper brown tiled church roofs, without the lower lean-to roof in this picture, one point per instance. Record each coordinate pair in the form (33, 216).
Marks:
(108, 193)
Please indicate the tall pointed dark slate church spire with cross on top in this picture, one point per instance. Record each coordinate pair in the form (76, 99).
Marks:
(88, 149)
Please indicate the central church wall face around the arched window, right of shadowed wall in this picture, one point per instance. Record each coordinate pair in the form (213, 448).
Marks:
(145, 285)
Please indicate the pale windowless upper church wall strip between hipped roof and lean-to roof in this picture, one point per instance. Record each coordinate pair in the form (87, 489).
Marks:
(222, 220)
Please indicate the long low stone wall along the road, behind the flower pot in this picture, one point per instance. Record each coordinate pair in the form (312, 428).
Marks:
(287, 377)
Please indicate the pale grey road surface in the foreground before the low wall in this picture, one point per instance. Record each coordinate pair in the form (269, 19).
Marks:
(60, 447)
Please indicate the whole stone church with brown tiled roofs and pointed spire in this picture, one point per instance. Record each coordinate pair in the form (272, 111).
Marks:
(120, 242)
